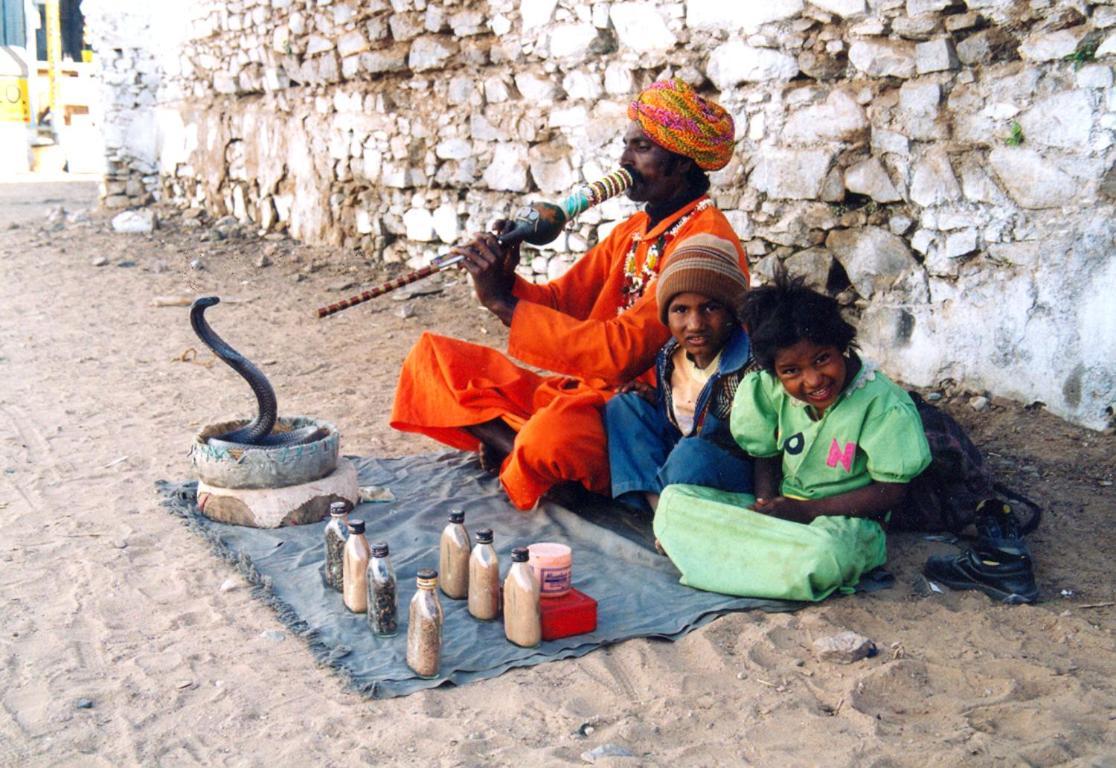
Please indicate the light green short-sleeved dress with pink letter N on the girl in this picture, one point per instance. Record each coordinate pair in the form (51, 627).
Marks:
(872, 434)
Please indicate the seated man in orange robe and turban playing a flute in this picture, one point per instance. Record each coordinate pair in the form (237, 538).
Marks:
(597, 327)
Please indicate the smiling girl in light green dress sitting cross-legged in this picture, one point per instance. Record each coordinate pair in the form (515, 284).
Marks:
(845, 440)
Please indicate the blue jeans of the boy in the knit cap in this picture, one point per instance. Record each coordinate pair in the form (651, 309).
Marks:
(647, 453)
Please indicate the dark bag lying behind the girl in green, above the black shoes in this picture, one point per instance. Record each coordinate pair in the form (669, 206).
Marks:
(947, 495)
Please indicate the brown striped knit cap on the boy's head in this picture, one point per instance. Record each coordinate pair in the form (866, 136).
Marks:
(706, 265)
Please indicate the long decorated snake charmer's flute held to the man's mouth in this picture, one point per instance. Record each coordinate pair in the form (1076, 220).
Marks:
(537, 224)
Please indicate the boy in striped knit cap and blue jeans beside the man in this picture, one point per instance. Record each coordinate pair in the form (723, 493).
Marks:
(679, 433)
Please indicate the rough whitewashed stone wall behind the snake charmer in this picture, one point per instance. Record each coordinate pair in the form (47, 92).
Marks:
(945, 167)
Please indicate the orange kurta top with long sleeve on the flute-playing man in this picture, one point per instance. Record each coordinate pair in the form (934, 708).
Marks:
(603, 344)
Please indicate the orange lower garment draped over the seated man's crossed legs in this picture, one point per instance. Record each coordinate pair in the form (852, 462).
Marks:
(448, 386)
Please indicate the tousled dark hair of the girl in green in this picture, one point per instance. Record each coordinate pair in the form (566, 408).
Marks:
(784, 313)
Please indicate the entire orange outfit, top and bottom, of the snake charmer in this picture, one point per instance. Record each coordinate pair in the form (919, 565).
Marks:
(578, 325)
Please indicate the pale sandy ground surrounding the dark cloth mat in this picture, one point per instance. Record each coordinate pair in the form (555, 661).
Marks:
(107, 598)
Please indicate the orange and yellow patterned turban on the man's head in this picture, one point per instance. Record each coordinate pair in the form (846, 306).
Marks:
(679, 120)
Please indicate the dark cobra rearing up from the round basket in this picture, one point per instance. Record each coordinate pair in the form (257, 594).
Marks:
(256, 434)
